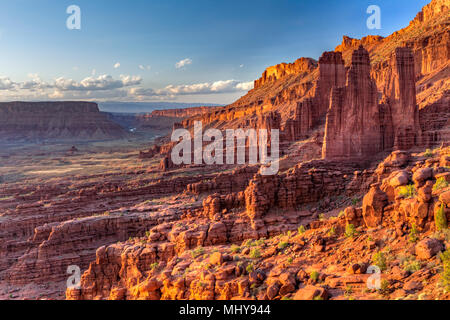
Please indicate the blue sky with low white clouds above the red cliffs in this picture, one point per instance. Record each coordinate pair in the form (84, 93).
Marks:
(225, 45)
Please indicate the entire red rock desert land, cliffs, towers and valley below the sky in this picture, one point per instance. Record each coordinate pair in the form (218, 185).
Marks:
(363, 187)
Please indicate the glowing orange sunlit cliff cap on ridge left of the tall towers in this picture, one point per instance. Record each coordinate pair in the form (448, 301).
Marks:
(302, 65)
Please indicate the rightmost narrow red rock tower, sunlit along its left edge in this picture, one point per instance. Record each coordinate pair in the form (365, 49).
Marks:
(400, 91)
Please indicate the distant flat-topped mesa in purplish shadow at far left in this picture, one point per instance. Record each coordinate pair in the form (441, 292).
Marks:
(34, 121)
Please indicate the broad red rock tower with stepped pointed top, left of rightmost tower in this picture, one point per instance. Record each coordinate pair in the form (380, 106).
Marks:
(353, 120)
